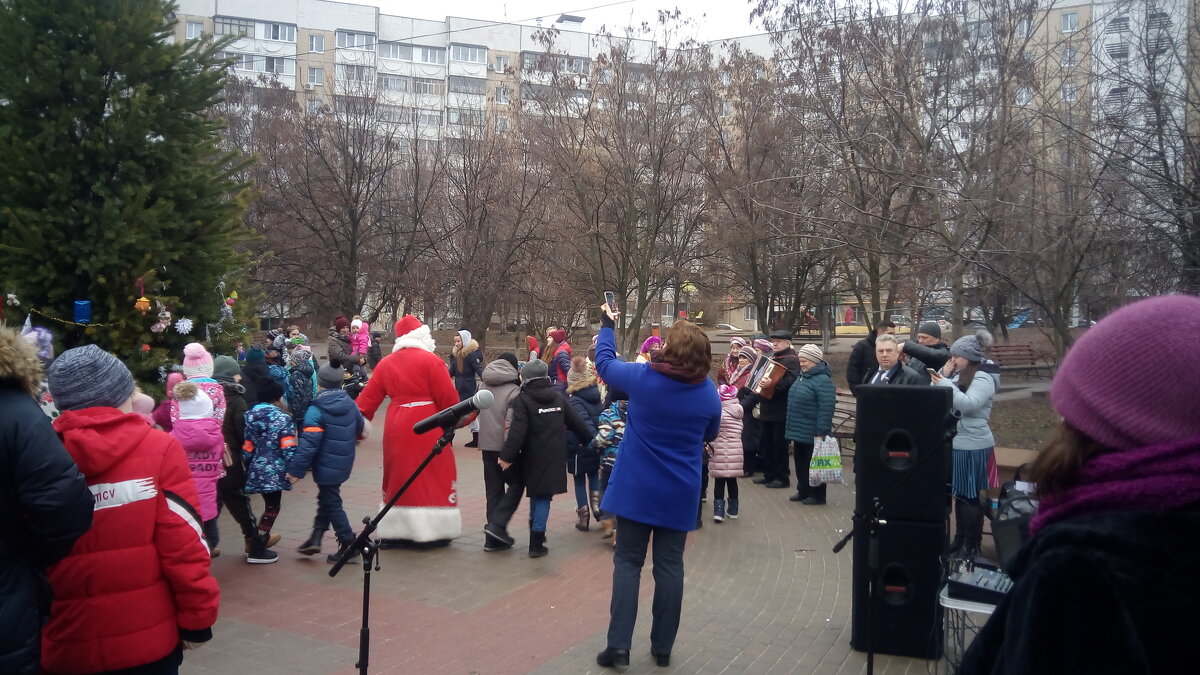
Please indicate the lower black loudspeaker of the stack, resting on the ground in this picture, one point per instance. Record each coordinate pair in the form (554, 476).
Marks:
(908, 618)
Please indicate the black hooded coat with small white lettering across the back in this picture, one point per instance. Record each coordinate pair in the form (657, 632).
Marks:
(537, 441)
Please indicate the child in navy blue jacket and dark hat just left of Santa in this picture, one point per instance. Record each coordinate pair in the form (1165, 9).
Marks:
(333, 427)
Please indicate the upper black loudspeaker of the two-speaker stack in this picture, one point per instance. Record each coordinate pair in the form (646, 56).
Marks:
(901, 451)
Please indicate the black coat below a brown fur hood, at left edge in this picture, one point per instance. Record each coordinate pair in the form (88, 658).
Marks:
(46, 506)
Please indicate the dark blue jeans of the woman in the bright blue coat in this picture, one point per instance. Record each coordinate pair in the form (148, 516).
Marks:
(633, 539)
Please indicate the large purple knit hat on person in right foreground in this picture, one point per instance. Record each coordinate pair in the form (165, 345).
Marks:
(1154, 403)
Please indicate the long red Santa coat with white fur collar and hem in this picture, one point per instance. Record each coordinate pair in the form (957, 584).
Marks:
(419, 385)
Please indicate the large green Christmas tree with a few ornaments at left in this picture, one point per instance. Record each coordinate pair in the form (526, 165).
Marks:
(112, 172)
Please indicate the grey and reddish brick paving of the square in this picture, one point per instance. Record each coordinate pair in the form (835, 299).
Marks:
(764, 595)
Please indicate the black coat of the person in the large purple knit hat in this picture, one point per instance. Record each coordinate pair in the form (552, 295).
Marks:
(1114, 593)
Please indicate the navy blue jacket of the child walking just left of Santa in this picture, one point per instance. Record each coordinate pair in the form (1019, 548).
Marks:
(332, 428)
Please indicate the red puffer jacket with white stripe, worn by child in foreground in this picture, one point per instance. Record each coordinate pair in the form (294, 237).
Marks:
(141, 575)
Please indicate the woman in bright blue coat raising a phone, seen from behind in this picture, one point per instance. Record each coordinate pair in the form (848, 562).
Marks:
(655, 487)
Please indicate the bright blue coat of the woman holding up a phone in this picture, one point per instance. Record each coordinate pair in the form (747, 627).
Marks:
(657, 476)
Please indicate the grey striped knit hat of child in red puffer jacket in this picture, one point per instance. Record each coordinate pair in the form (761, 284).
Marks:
(87, 378)
